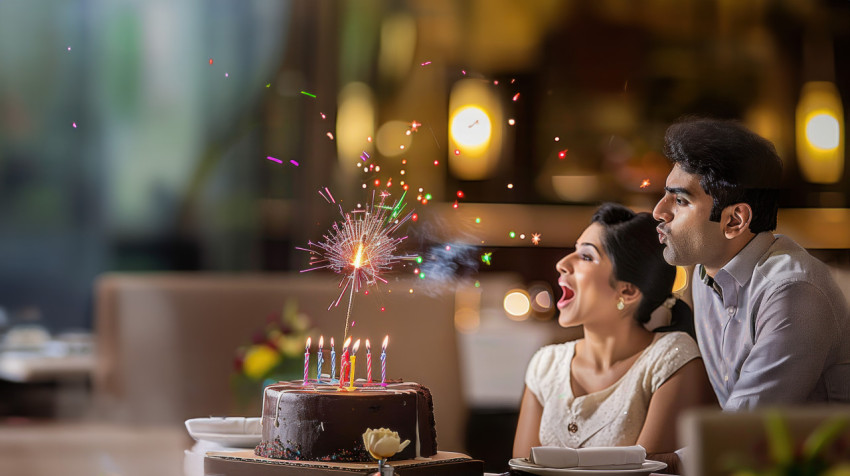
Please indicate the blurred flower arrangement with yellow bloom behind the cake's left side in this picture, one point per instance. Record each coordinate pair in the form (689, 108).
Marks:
(276, 353)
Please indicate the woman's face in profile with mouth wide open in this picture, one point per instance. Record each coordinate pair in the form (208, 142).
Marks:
(585, 280)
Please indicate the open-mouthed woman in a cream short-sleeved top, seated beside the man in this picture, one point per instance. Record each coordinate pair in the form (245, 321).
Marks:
(621, 384)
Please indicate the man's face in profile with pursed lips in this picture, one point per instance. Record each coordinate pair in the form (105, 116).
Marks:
(685, 230)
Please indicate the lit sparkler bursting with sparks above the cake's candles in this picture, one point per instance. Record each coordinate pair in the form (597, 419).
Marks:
(360, 247)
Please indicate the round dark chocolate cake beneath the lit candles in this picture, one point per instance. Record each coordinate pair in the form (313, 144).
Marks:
(321, 422)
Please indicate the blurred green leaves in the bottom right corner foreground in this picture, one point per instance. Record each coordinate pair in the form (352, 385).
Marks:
(825, 451)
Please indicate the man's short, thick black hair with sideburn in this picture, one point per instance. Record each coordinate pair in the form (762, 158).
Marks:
(734, 164)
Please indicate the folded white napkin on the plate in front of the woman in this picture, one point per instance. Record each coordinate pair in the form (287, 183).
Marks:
(604, 457)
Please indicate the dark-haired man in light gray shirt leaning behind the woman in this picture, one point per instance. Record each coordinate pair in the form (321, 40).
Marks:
(771, 323)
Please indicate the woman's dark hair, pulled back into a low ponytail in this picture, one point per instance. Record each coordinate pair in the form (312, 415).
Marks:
(631, 242)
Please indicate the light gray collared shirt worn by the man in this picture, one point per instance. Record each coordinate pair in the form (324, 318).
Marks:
(774, 328)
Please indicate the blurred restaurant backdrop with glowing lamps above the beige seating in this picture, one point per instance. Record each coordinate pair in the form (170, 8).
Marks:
(145, 136)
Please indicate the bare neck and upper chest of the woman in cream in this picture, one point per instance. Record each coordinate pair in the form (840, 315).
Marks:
(604, 347)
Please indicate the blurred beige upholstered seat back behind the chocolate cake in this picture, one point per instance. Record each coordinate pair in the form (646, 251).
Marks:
(166, 342)
